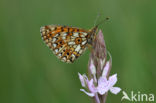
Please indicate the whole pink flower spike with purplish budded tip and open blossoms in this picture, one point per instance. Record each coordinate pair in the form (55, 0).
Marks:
(98, 82)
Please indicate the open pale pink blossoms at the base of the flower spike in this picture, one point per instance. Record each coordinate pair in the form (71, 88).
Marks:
(103, 86)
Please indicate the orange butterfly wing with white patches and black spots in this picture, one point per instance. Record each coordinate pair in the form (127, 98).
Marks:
(67, 43)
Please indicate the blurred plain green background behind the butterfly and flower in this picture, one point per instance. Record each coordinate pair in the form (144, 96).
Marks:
(30, 73)
